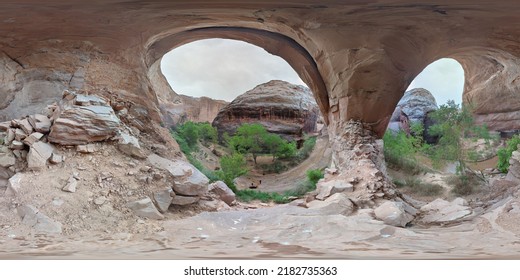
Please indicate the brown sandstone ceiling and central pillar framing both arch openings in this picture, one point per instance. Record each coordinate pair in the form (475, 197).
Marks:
(365, 52)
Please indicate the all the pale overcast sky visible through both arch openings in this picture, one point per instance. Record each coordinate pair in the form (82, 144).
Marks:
(223, 69)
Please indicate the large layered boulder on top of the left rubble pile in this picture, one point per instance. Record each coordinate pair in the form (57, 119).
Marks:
(81, 119)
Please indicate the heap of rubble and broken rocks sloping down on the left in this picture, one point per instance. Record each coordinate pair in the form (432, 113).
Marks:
(71, 159)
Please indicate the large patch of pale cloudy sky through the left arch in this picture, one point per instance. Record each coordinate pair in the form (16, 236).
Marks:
(222, 69)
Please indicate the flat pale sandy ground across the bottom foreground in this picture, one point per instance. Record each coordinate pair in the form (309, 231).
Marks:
(287, 232)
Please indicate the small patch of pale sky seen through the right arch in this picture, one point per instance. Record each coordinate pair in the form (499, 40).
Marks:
(444, 78)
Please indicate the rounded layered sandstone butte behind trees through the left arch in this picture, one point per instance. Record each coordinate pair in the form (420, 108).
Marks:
(282, 108)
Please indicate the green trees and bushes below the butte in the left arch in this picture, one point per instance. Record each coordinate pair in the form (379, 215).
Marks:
(250, 140)
